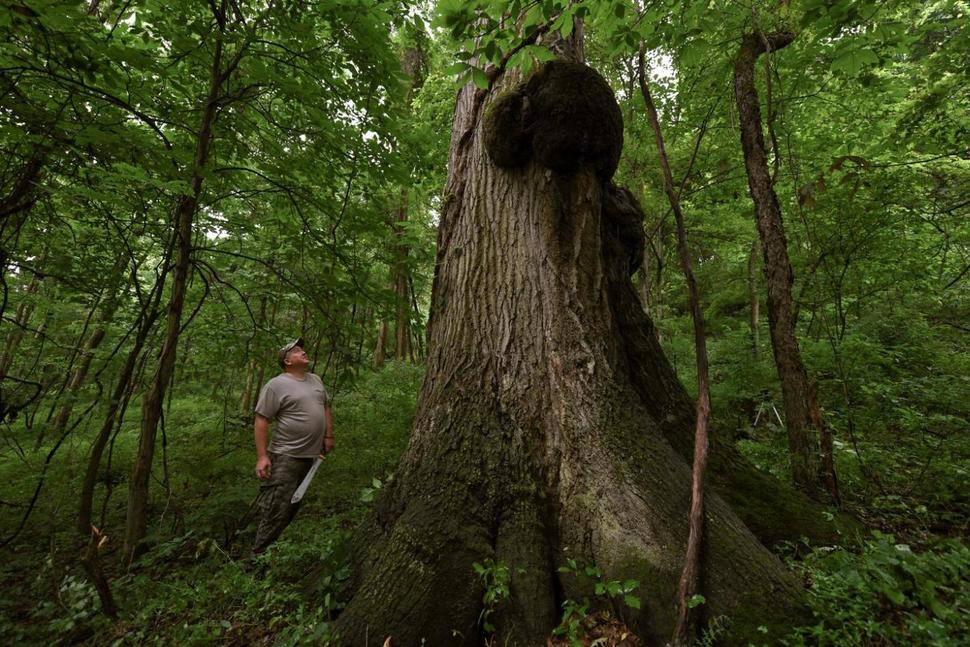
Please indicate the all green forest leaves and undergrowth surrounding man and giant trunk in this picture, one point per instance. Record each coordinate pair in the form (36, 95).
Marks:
(320, 141)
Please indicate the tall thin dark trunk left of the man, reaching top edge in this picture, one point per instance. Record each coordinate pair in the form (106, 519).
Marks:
(137, 515)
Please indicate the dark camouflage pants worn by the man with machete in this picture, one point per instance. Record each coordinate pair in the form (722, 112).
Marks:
(275, 510)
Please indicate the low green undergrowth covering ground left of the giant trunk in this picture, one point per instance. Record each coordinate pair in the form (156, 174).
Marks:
(191, 587)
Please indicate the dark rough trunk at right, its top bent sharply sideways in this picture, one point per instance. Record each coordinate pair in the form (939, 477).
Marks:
(802, 440)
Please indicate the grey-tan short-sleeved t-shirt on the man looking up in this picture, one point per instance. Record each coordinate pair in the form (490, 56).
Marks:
(298, 406)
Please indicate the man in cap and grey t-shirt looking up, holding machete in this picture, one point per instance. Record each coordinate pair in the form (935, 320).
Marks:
(299, 404)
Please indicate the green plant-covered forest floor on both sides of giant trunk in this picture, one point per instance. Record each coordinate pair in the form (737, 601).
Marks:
(908, 583)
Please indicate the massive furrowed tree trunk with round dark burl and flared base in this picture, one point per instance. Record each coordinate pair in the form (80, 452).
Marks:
(548, 419)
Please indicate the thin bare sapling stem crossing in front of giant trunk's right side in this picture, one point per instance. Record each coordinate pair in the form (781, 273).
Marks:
(685, 630)
